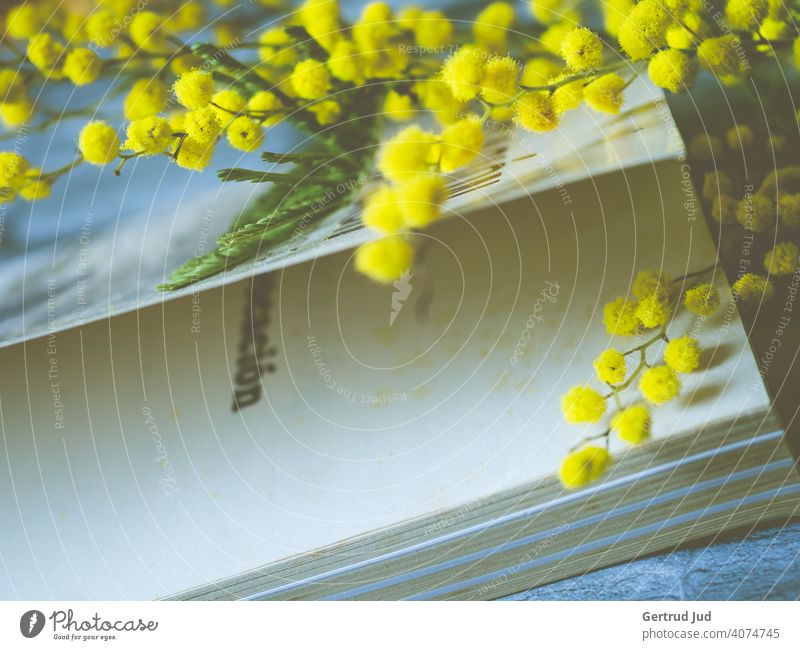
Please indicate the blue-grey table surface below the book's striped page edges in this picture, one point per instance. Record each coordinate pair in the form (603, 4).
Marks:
(762, 564)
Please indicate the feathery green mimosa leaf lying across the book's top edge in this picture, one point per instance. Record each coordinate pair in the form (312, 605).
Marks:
(319, 183)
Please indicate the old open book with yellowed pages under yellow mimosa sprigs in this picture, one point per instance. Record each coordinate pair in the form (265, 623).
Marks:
(304, 433)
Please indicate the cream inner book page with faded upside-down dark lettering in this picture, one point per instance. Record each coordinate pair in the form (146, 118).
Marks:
(166, 448)
